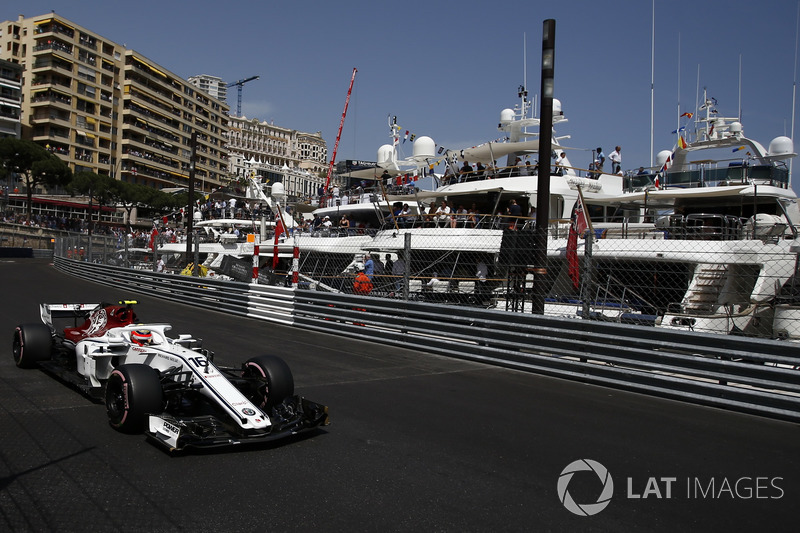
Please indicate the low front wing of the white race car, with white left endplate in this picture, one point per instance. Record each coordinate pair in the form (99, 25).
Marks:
(294, 415)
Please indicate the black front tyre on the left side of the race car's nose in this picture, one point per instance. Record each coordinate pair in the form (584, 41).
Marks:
(132, 392)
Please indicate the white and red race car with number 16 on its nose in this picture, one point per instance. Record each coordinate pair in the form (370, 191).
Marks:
(167, 387)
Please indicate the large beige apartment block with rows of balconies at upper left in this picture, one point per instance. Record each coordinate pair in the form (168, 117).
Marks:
(107, 109)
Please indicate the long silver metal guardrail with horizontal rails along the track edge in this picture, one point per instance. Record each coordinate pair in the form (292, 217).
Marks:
(751, 375)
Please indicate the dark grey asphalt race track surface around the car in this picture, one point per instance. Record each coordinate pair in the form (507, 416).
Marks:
(417, 442)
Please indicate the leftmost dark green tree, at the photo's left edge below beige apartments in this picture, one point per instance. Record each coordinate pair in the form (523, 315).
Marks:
(34, 165)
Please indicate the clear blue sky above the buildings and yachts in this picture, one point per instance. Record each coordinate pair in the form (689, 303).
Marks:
(447, 69)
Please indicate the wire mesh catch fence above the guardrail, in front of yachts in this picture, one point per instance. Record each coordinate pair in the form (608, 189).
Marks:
(698, 273)
